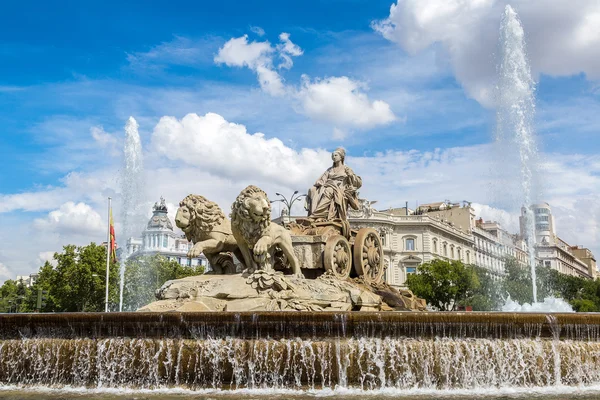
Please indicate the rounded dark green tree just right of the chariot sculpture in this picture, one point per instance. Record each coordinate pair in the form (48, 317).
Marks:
(444, 284)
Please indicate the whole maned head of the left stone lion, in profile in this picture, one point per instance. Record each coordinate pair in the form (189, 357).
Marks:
(197, 214)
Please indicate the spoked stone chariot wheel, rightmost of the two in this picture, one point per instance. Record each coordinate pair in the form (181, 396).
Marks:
(368, 255)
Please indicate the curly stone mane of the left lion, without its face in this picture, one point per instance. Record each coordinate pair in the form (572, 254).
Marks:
(204, 215)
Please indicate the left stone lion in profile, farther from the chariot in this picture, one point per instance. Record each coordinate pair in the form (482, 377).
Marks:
(205, 225)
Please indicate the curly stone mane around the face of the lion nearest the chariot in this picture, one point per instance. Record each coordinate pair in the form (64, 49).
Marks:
(240, 216)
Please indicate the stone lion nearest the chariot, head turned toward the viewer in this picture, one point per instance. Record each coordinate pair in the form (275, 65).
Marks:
(256, 236)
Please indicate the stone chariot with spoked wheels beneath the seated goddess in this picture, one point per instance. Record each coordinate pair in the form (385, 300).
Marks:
(333, 246)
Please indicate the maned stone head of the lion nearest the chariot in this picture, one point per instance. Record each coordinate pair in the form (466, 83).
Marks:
(251, 213)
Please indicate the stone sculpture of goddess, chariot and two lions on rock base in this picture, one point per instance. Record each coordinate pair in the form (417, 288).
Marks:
(317, 263)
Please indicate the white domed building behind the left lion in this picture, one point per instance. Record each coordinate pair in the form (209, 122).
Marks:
(160, 238)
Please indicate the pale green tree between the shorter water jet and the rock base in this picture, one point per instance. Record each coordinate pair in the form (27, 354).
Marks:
(144, 275)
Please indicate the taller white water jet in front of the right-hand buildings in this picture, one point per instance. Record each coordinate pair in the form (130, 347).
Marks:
(514, 121)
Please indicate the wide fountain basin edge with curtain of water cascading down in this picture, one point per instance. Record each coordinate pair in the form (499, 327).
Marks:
(300, 351)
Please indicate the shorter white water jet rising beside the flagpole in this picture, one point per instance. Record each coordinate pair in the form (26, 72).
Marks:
(132, 190)
